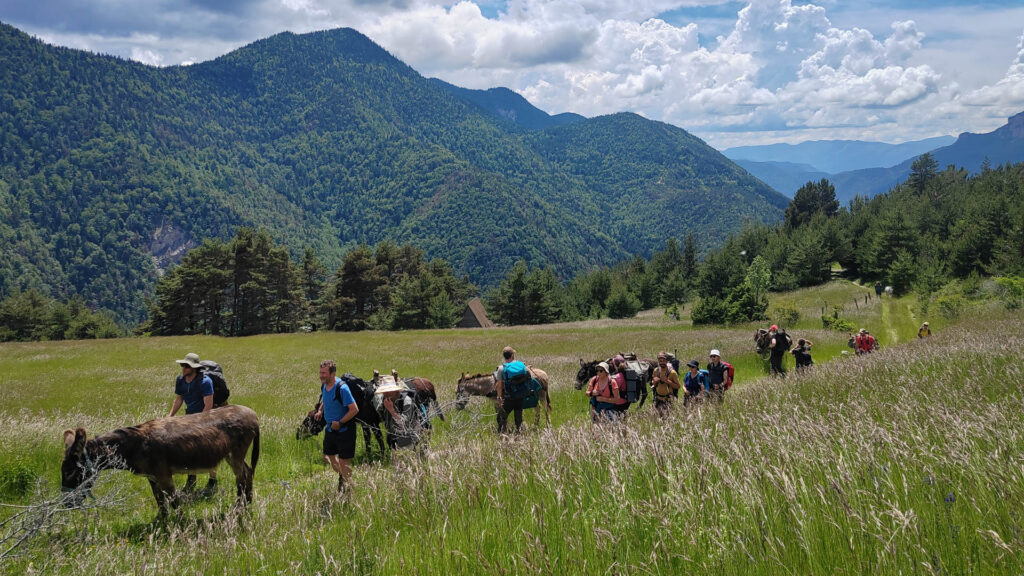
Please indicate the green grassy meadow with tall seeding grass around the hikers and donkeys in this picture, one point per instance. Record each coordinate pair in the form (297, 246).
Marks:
(905, 462)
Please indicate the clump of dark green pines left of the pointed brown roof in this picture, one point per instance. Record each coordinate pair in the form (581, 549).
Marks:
(250, 285)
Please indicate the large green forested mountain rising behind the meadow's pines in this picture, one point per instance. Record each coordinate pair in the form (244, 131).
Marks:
(110, 170)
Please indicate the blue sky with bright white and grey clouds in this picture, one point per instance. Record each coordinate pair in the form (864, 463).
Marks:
(733, 73)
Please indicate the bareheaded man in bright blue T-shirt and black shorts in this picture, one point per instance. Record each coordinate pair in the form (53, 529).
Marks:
(337, 409)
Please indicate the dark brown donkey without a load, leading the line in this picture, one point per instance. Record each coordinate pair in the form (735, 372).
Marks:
(161, 448)
